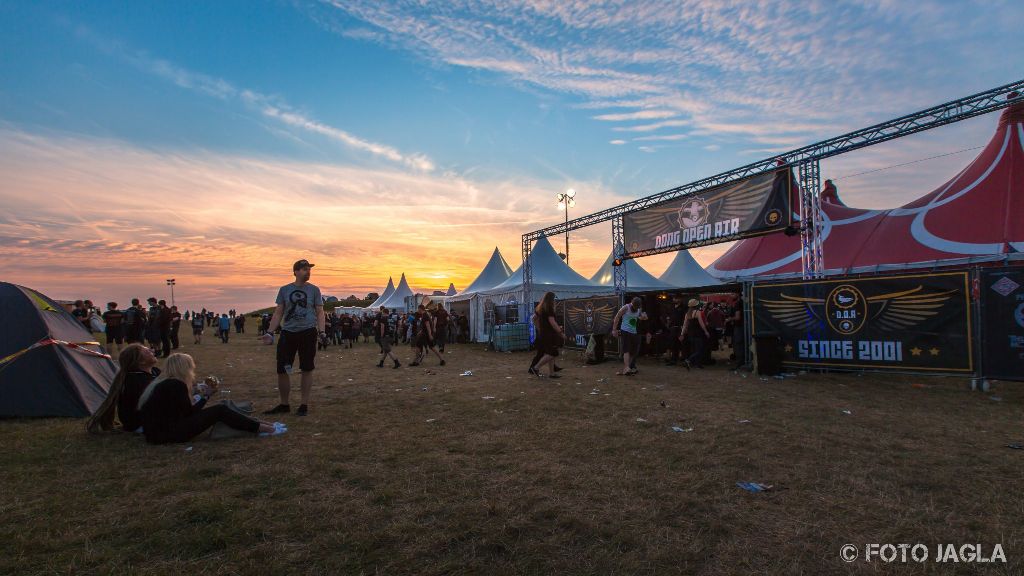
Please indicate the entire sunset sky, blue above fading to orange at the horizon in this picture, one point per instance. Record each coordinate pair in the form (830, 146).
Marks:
(219, 143)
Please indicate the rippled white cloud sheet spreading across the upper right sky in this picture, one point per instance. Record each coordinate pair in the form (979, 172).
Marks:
(786, 67)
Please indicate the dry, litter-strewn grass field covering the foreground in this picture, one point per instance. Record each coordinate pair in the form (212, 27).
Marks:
(420, 471)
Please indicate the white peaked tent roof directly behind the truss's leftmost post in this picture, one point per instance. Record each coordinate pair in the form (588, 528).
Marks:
(549, 274)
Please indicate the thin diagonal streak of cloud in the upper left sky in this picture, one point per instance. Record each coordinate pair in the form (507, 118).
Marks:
(270, 107)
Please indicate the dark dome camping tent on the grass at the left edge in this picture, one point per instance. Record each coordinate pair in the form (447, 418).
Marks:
(50, 366)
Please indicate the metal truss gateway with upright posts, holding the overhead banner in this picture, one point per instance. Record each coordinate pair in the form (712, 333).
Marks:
(806, 161)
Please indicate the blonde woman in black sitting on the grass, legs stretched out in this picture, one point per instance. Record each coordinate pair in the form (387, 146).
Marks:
(172, 414)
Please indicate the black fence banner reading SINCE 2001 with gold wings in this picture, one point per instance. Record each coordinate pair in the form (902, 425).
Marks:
(919, 322)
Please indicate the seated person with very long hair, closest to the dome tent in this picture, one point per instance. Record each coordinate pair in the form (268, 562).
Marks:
(138, 368)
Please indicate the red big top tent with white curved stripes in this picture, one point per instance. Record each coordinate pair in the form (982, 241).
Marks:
(977, 217)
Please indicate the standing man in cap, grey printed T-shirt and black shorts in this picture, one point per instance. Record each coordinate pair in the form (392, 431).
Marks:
(301, 317)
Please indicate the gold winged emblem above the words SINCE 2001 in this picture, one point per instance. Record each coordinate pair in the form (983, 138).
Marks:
(846, 310)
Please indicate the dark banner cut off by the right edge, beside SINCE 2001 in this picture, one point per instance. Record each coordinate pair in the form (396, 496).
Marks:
(1003, 323)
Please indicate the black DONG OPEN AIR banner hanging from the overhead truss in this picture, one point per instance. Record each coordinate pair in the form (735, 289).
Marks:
(754, 207)
